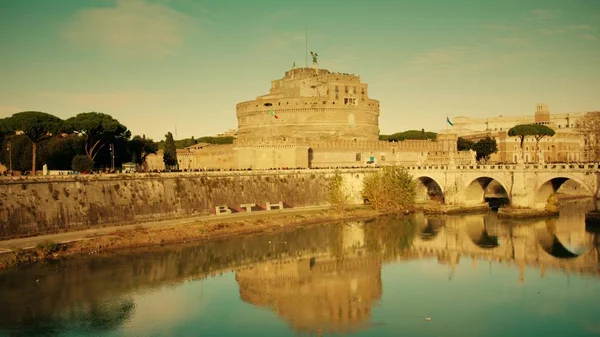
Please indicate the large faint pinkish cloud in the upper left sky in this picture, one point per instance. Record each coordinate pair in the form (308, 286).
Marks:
(130, 28)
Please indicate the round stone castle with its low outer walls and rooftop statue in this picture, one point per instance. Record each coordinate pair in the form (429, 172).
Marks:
(313, 118)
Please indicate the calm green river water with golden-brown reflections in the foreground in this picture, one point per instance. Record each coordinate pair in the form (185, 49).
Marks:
(471, 275)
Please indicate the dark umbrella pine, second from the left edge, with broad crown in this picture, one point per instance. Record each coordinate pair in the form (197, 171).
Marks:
(99, 129)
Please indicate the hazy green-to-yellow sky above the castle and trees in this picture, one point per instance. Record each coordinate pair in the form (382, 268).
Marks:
(183, 65)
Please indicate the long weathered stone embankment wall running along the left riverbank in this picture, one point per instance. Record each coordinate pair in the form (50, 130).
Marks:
(41, 205)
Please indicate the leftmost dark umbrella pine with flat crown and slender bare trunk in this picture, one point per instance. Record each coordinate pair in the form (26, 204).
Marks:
(36, 125)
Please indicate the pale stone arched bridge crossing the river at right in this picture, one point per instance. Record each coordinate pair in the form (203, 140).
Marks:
(524, 185)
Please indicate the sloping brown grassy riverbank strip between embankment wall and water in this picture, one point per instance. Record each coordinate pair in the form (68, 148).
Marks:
(94, 241)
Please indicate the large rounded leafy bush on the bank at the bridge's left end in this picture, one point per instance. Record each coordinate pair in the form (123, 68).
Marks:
(392, 188)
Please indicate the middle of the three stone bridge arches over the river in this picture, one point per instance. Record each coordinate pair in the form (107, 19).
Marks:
(480, 186)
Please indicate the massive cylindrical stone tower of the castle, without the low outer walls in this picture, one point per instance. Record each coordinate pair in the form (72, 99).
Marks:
(310, 104)
